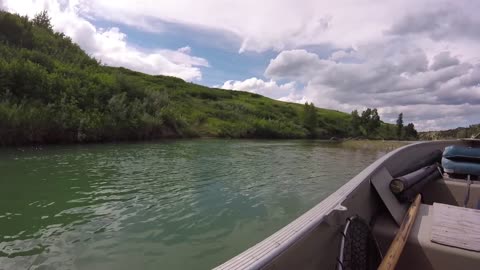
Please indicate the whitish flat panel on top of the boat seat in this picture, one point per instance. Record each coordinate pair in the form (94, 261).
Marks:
(456, 226)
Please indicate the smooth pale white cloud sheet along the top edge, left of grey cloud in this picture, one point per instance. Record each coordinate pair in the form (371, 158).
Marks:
(262, 25)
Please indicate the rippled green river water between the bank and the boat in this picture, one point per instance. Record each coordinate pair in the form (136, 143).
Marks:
(188, 204)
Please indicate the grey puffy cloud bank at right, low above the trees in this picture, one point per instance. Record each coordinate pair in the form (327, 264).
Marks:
(399, 79)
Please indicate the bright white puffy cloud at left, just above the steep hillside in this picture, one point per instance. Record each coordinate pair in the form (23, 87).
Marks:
(111, 45)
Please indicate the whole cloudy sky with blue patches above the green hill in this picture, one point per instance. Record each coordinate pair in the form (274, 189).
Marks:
(418, 57)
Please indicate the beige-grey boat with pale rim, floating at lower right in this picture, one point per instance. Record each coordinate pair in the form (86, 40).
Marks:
(445, 233)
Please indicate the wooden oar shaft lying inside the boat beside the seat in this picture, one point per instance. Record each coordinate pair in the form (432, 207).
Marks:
(395, 250)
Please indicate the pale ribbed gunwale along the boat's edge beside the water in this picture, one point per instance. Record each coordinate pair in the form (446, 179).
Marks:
(271, 247)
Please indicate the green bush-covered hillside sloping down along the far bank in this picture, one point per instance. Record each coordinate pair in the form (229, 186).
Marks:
(52, 92)
